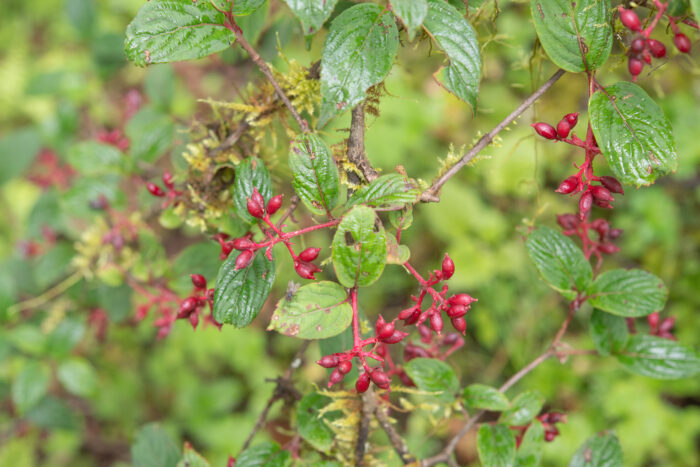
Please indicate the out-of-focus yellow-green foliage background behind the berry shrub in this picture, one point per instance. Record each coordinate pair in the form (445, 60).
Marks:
(63, 79)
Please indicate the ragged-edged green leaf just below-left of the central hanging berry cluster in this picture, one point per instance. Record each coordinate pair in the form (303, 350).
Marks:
(311, 425)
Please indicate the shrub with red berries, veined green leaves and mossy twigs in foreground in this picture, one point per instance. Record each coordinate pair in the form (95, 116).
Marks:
(243, 192)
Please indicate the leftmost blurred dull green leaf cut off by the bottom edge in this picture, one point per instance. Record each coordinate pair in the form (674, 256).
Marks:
(153, 447)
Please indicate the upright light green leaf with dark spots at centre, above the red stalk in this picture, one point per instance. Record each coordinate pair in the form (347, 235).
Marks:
(359, 248)
